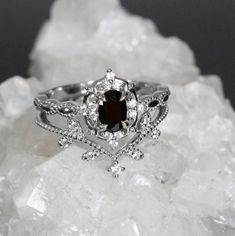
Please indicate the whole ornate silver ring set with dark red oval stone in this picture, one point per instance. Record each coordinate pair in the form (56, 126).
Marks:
(110, 115)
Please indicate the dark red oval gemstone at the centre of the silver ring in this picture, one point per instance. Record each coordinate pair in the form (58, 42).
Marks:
(113, 111)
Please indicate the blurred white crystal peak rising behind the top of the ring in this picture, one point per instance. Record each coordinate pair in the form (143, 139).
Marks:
(84, 38)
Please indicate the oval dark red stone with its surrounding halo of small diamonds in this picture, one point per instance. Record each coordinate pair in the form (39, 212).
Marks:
(98, 104)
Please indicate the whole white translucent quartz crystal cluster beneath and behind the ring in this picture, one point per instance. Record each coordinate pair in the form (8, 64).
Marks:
(184, 186)
